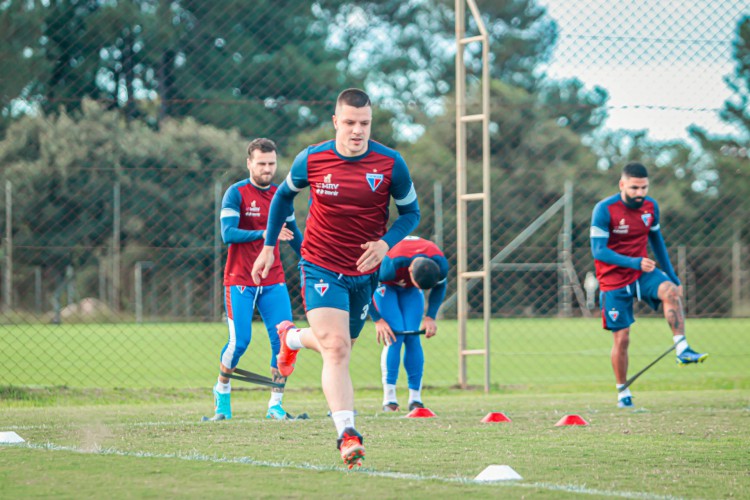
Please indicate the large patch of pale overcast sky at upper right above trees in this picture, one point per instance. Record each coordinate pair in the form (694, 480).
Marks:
(662, 61)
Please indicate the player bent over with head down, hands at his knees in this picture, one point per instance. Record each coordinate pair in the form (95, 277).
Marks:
(412, 266)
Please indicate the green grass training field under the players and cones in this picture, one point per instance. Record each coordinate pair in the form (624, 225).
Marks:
(115, 410)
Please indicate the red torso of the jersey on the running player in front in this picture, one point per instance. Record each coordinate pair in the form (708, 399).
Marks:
(349, 207)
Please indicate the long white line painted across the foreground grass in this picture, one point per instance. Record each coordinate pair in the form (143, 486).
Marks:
(199, 457)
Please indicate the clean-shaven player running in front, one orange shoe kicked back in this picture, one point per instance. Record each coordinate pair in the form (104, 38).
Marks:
(352, 180)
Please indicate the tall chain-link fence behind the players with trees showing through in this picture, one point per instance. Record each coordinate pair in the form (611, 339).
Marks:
(123, 123)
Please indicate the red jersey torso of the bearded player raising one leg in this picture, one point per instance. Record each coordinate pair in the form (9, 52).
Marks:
(628, 235)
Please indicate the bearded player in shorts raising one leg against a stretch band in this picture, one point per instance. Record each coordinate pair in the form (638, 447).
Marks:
(621, 227)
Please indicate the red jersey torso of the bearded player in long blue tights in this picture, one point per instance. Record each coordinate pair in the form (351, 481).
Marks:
(241, 256)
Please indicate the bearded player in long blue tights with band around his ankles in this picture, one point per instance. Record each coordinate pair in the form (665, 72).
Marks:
(244, 213)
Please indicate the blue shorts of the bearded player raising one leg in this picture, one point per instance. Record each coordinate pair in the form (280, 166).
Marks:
(617, 305)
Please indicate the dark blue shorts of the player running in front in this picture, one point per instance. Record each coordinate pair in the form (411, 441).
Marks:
(324, 288)
